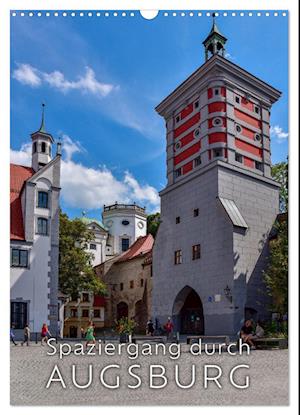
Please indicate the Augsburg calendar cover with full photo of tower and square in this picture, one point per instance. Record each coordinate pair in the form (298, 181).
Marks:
(149, 207)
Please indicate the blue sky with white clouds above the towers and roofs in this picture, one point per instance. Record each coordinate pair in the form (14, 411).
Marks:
(101, 78)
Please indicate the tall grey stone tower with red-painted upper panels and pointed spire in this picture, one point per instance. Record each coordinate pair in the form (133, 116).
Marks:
(220, 201)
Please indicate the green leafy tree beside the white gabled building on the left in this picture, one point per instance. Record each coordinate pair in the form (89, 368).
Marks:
(76, 273)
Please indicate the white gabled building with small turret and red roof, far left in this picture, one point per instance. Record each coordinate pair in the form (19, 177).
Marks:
(34, 237)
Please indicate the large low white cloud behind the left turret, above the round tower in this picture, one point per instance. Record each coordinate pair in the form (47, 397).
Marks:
(90, 188)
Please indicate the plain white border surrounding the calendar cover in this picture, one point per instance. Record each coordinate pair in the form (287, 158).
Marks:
(292, 7)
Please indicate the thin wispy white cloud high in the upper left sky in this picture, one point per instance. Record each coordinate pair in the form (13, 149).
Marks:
(28, 75)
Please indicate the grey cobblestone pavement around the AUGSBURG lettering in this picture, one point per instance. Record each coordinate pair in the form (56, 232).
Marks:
(31, 368)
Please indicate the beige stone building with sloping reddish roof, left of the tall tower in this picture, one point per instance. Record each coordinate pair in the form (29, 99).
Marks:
(129, 281)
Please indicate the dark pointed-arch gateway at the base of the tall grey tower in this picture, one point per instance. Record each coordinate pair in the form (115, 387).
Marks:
(188, 312)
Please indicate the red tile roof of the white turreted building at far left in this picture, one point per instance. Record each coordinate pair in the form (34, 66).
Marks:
(18, 176)
